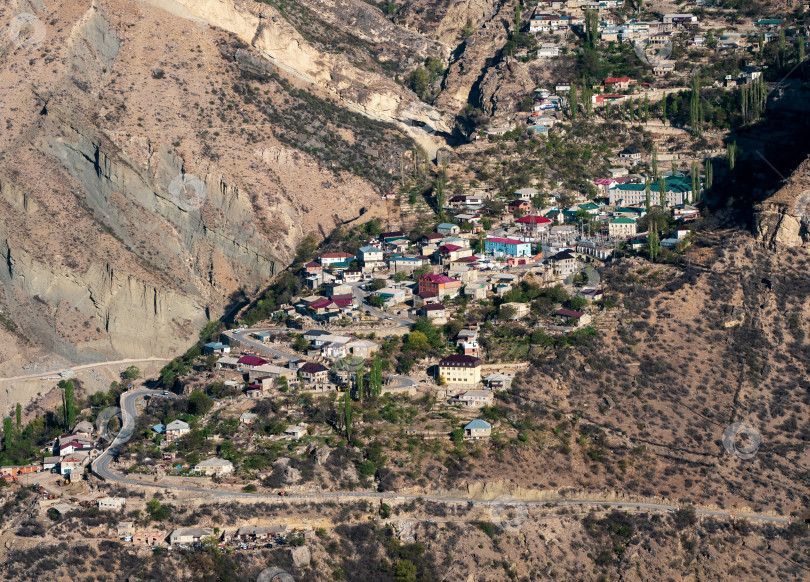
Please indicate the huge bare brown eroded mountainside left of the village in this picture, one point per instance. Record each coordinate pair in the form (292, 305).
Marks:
(141, 186)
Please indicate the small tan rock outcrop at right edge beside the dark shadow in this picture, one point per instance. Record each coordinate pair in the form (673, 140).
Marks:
(783, 220)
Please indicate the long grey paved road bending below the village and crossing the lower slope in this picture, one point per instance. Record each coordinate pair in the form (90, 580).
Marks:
(128, 405)
